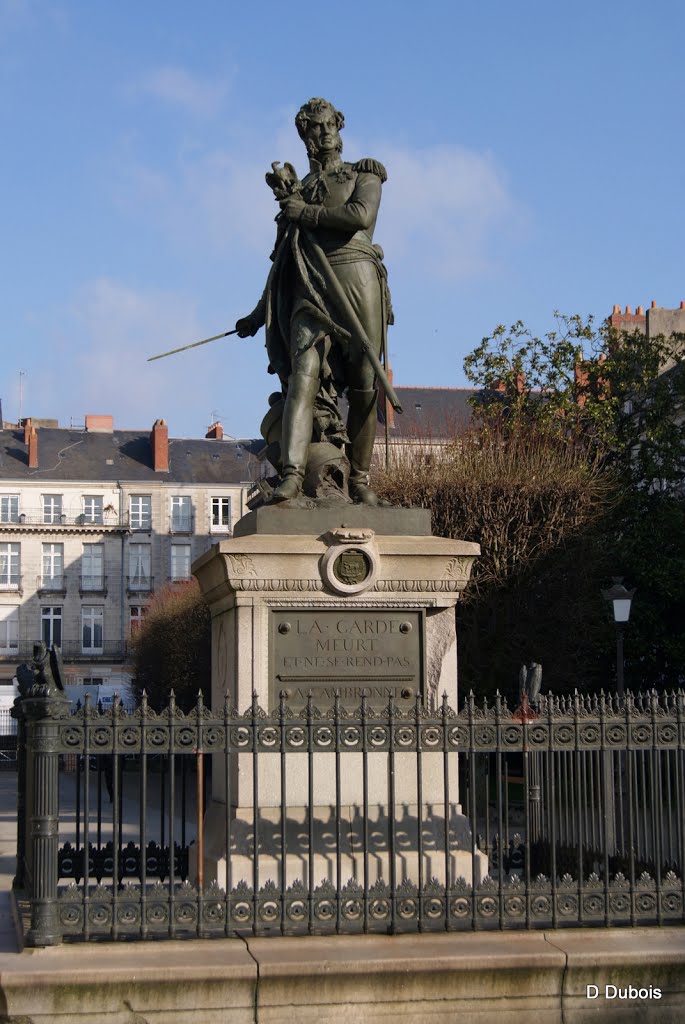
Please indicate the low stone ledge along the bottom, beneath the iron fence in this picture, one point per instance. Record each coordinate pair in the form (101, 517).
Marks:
(486, 978)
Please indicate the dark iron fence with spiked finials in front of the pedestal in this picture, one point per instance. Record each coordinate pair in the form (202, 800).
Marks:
(353, 822)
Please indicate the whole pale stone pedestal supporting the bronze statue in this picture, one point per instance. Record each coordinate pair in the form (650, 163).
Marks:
(352, 601)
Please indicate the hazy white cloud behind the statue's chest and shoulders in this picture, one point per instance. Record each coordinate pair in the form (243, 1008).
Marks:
(448, 203)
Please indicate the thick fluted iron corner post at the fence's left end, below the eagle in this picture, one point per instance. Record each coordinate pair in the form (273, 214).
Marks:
(44, 714)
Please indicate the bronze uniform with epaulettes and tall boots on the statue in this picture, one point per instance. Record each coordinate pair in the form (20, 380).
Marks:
(304, 347)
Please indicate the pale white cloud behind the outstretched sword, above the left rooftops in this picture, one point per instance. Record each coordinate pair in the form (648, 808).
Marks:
(97, 362)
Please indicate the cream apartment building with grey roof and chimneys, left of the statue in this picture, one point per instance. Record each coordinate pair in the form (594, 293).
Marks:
(94, 522)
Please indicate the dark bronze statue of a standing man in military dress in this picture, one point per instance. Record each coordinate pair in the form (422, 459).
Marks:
(328, 288)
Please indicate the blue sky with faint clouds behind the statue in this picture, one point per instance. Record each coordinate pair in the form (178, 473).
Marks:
(535, 154)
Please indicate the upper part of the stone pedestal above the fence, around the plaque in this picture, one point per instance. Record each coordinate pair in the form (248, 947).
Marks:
(333, 562)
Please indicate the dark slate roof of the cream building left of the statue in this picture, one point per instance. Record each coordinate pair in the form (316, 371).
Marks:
(126, 455)
